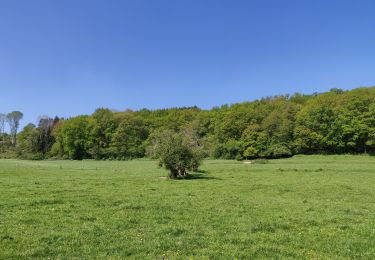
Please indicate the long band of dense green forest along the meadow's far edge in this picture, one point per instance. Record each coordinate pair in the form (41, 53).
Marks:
(333, 122)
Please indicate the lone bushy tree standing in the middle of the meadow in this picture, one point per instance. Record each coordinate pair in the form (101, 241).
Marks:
(173, 153)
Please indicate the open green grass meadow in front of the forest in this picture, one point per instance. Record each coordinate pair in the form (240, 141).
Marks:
(302, 207)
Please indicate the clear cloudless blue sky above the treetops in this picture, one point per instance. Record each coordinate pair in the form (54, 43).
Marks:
(69, 57)
